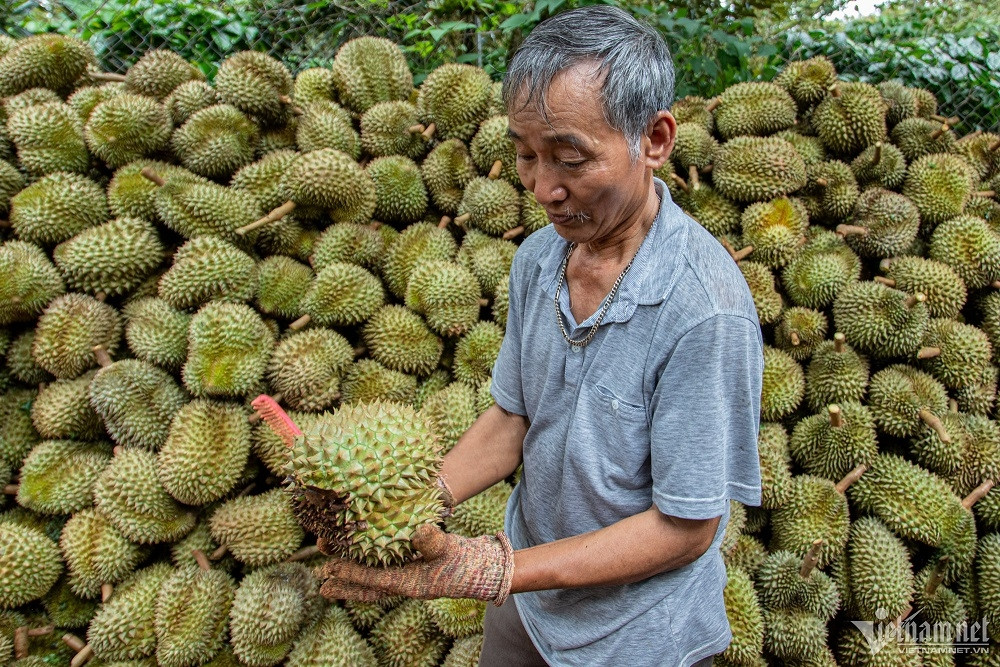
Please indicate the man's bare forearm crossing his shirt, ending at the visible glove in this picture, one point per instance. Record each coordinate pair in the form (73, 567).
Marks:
(629, 550)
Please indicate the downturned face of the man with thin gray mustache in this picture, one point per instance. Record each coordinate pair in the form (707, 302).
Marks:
(577, 165)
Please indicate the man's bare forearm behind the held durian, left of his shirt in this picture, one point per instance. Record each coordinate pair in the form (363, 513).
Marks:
(485, 454)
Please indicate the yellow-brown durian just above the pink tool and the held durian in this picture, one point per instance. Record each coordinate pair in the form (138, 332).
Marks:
(306, 368)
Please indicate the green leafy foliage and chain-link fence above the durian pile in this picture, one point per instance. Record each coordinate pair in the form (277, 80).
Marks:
(961, 71)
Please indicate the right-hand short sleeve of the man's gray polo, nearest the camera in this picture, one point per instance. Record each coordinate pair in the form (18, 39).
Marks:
(705, 414)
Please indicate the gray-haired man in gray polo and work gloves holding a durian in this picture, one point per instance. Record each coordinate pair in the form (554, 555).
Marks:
(628, 383)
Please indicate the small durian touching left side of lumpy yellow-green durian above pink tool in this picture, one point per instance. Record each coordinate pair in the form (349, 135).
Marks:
(156, 332)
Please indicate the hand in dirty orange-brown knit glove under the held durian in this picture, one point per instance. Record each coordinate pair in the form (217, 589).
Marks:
(449, 566)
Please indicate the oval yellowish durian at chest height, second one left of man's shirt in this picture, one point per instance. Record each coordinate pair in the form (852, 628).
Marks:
(399, 339)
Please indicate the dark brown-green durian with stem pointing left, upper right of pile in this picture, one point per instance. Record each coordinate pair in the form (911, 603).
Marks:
(884, 224)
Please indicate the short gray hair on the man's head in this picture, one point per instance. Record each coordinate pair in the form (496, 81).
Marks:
(636, 63)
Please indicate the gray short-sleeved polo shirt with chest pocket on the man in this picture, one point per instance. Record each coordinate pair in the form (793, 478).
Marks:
(661, 407)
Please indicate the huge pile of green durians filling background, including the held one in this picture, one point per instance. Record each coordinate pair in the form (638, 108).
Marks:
(340, 241)
